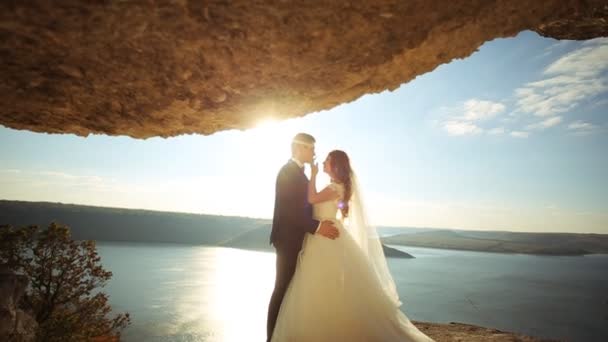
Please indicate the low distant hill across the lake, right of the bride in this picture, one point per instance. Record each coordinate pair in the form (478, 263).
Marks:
(505, 242)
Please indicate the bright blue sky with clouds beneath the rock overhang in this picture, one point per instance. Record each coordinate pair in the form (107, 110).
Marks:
(513, 138)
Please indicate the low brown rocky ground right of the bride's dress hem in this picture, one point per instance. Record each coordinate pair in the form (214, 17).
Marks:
(459, 332)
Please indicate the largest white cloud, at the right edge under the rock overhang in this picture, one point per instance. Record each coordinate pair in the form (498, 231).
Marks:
(571, 80)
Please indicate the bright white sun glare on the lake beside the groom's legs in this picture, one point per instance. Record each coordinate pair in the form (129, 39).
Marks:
(223, 296)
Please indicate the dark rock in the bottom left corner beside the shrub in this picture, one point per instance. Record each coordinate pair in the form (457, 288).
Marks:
(15, 324)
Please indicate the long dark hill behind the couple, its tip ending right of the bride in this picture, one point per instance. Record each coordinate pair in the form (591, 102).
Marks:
(115, 224)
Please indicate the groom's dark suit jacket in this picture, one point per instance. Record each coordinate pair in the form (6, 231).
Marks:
(292, 213)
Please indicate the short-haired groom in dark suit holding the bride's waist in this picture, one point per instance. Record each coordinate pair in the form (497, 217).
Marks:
(292, 220)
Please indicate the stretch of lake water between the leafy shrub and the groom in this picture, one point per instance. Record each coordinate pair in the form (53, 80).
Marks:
(186, 293)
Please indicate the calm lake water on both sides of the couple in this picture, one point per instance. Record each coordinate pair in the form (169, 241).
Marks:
(202, 293)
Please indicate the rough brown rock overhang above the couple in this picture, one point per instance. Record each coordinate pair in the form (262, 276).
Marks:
(164, 68)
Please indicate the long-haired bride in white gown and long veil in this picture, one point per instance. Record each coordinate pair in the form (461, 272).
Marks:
(342, 289)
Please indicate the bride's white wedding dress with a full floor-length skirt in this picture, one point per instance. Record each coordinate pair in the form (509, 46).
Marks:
(337, 294)
